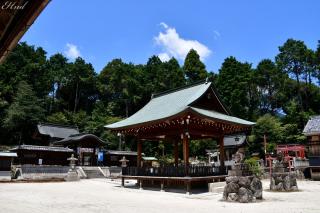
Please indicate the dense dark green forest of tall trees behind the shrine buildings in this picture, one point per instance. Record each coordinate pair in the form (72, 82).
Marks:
(279, 94)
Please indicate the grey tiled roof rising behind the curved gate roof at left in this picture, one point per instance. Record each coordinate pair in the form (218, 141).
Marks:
(57, 131)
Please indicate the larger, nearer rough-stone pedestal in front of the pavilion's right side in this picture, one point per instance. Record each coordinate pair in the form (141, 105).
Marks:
(242, 189)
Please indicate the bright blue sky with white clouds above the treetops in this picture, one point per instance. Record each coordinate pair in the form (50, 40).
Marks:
(100, 30)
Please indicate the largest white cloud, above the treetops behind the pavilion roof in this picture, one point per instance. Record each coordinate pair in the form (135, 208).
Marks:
(175, 46)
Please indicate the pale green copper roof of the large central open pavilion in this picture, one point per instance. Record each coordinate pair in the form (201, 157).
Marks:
(171, 103)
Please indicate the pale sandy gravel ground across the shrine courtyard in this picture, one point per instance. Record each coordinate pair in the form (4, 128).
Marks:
(101, 195)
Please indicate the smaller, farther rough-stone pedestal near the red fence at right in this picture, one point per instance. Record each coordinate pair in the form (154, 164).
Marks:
(283, 181)
